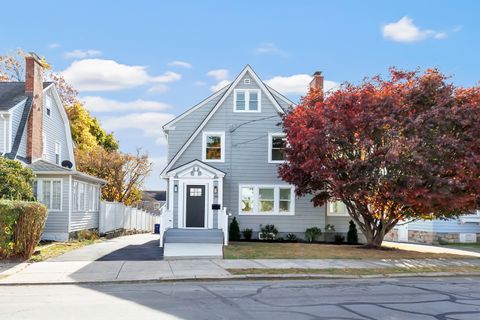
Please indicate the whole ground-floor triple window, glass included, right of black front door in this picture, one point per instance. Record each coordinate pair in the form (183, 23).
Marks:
(266, 200)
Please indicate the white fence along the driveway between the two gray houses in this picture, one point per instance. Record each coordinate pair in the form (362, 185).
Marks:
(115, 216)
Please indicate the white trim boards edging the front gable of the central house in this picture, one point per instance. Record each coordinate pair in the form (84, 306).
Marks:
(259, 82)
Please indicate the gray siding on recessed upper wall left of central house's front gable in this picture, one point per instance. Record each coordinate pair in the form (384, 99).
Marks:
(185, 127)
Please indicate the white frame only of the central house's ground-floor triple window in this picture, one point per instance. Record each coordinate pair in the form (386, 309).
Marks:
(276, 202)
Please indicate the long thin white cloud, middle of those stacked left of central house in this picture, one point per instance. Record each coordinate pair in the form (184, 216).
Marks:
(99, 104)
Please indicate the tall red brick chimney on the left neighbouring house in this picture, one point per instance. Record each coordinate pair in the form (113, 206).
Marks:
(34, 90)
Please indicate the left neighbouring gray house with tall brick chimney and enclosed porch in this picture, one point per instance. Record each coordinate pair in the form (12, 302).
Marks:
(35, 130)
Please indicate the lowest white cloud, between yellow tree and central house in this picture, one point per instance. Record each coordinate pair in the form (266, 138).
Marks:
(150, 123)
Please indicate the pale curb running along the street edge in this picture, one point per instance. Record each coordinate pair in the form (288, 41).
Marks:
(254, 277)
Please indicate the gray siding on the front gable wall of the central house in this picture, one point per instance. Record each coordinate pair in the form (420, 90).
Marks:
(246, 162)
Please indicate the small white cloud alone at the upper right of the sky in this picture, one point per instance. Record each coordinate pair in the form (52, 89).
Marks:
(404, 30)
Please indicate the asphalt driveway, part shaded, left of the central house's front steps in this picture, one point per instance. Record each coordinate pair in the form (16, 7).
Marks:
(139, 247)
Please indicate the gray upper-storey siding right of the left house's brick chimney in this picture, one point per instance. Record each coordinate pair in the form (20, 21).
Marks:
(54, 130)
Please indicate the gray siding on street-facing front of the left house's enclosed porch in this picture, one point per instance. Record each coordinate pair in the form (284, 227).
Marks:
(57, 221)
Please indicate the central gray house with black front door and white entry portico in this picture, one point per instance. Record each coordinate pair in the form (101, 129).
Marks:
(223, 157)
